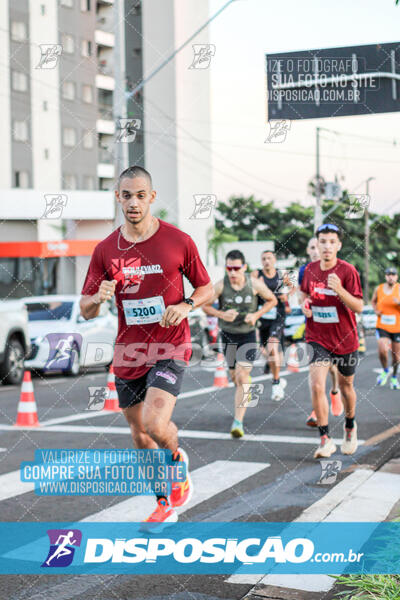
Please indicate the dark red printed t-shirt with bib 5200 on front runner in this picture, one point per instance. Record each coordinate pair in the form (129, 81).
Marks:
(149, 278)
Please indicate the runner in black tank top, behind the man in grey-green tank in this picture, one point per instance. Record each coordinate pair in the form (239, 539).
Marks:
(272, 323)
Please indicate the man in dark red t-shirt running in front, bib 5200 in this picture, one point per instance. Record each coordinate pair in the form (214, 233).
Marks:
(143, 263)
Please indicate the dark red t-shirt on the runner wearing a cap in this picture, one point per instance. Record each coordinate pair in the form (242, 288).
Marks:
(332, 325)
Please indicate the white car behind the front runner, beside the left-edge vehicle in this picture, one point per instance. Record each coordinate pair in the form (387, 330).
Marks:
(62, 340)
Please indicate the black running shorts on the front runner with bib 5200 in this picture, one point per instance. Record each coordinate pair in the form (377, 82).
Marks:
(165, 375)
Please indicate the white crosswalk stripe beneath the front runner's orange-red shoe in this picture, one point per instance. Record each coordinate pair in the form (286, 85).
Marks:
(208, 481)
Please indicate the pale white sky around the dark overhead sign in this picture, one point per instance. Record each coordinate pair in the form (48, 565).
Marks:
(242, 162)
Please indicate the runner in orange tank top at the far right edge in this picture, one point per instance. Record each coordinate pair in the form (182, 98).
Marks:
(386, 304)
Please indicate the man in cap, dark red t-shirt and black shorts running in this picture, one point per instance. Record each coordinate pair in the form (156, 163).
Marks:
(332, 295)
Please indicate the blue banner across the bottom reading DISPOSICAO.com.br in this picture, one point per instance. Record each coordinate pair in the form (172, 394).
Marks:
(200, 548)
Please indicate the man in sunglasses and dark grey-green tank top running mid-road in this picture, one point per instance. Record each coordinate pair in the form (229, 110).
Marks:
(237, 318)
